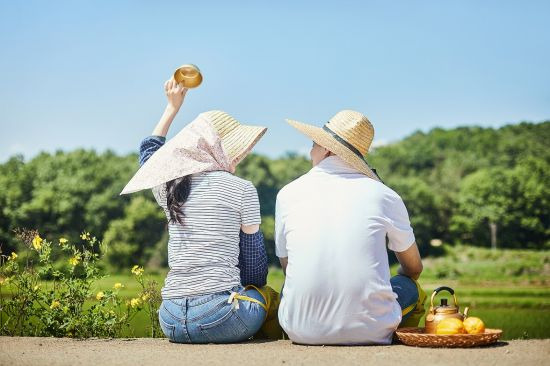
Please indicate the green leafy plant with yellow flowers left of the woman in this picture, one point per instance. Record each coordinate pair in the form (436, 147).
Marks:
(67, 305)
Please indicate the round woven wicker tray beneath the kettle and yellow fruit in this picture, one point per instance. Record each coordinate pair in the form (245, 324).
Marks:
(417, 337)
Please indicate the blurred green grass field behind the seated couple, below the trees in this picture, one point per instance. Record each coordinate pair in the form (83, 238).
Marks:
(506, 289)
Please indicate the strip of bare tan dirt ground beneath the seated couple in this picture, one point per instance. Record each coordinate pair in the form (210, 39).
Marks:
(15, 351)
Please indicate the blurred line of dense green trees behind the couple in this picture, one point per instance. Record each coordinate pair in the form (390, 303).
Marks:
(472, 185)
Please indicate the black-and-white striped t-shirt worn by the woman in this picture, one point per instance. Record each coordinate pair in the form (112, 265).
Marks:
(203, 253)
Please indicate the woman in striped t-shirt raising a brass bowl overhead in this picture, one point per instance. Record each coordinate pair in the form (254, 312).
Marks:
(215, 244)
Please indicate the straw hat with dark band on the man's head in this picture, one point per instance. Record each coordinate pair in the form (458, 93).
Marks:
(348, 134)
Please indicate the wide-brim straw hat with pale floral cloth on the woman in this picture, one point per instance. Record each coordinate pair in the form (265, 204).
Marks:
(213, 141)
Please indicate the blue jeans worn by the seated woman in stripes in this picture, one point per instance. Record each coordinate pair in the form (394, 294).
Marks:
(210, 318)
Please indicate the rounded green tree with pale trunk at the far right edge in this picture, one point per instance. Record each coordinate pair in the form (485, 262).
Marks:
(514, 202)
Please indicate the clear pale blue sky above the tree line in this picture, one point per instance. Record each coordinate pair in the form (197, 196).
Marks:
(90, 73)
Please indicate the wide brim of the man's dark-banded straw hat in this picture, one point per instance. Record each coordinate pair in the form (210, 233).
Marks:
(323, 138)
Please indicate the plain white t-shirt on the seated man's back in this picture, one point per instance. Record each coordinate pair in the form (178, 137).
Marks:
(332, 224)
